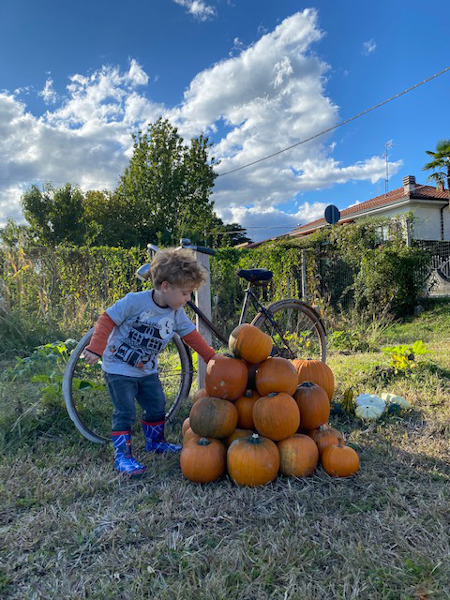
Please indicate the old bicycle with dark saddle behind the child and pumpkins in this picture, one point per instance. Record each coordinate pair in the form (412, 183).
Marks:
(296, 329)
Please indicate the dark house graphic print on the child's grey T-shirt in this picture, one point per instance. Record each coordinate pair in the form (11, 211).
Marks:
(145, 340)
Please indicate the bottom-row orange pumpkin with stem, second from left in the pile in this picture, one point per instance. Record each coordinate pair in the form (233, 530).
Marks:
(253, 460)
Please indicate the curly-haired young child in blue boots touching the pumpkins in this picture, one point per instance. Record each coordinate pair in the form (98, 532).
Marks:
(130, 335)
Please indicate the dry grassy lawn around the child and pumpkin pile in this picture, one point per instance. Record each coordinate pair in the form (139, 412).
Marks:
(71, 529)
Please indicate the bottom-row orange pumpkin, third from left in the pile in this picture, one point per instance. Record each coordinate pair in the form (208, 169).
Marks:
(299, 456)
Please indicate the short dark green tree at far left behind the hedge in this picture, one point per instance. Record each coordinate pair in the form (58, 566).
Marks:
(55, 215)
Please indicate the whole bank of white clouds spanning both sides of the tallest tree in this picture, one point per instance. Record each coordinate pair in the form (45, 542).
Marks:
(268, 97)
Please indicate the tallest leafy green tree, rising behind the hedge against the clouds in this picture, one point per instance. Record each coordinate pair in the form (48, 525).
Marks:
(164, 193)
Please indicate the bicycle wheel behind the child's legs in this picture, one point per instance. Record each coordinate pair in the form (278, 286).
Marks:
(86, 395)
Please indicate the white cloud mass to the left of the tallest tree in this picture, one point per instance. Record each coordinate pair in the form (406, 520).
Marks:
(85, 140)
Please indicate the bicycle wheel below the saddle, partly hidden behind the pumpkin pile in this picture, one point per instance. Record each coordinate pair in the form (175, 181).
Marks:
(296, 329)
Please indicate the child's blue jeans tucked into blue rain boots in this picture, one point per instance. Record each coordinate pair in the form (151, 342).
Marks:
(125, 390)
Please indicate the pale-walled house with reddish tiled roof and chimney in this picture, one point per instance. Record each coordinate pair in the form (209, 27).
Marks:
(430, 206)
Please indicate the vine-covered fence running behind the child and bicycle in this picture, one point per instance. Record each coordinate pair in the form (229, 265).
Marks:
(71, 286)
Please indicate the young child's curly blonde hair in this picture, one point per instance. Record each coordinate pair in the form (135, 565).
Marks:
(178, 267)
